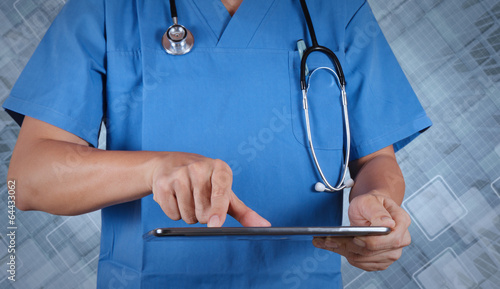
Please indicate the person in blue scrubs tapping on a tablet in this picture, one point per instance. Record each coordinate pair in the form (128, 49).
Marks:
(214, 137)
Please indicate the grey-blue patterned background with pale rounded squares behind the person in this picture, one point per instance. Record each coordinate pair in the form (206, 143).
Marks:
(449, 50)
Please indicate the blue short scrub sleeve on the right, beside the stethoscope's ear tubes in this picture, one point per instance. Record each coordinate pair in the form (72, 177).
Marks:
(383, 108)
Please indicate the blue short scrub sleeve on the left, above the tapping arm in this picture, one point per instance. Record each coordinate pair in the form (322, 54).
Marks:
(62, 84)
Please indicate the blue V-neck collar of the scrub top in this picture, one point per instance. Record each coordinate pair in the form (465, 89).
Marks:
(238, 30)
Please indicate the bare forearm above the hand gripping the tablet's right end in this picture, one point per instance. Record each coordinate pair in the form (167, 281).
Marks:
(380, 174)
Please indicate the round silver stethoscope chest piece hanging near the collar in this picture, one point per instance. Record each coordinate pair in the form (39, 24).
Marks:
(177, 40)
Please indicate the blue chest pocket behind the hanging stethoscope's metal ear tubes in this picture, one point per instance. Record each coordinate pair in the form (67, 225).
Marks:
(324, 101)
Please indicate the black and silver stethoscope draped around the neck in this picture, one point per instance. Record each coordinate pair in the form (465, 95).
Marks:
(178, 40)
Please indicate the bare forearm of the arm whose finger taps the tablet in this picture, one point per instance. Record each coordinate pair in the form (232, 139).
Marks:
(68, 179)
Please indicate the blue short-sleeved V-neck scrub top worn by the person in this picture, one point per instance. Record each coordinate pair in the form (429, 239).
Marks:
(235, 96)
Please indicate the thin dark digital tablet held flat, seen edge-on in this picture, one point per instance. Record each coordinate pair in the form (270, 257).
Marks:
(267, 232)
